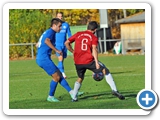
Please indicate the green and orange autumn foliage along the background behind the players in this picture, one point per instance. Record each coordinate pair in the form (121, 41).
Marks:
(26, 25)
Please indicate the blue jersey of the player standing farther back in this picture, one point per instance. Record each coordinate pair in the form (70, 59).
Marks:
(61, 37)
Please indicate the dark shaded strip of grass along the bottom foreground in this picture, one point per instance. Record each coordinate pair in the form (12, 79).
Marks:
(97, 98)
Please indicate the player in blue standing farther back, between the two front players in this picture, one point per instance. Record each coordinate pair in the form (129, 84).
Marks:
(61, 37)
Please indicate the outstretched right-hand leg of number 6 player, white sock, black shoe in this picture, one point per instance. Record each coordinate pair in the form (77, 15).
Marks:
(110, 81)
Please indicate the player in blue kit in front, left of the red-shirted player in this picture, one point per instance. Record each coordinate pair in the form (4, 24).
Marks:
(45, 46)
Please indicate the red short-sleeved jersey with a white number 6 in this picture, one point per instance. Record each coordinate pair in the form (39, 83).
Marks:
(83, 46)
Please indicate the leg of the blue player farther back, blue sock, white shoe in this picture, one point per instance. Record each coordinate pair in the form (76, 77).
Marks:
(61, 60)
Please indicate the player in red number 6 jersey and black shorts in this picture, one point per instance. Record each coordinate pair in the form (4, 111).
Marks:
(86, 57)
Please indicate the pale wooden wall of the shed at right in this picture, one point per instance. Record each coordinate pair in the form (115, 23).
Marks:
(133, 32)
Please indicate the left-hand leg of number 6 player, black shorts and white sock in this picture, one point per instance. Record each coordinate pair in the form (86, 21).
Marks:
(77, 85)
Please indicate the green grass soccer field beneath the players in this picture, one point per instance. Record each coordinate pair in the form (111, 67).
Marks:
(29, 85)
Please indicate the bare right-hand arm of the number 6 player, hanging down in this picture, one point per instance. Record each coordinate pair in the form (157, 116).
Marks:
(95, 55)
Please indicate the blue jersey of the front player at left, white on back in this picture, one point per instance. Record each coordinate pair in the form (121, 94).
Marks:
(44, 51)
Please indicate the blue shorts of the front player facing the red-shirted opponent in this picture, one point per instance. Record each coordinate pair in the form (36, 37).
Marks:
(48, 66)
